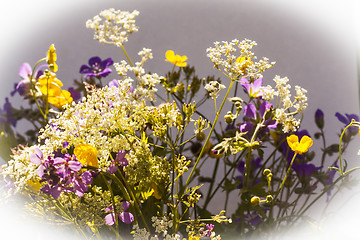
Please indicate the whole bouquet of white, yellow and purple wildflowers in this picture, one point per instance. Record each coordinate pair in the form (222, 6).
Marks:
(124, 158)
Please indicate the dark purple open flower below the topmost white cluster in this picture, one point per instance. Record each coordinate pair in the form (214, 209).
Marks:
(97, 67)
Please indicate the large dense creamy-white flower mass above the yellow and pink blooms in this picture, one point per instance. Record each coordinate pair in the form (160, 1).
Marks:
(91, 121)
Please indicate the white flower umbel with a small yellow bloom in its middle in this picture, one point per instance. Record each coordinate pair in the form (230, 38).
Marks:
(237, 65)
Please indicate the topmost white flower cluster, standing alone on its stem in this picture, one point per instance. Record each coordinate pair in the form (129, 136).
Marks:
(113, 26)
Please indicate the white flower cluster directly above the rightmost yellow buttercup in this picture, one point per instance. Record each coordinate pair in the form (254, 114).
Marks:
(283, 113)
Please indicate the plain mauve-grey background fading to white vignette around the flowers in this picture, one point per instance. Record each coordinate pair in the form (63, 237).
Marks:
(314, 43)
